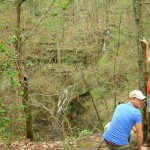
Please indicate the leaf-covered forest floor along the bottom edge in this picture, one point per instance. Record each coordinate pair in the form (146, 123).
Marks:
(91, 142)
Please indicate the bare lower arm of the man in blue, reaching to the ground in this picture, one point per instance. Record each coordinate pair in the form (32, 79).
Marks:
(139, 134)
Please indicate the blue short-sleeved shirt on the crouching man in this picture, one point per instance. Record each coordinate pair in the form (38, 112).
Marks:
(124, 118)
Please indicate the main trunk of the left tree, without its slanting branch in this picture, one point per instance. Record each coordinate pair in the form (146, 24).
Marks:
(22, 79)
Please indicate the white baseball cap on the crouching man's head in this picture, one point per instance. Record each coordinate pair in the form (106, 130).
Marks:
(137, 94)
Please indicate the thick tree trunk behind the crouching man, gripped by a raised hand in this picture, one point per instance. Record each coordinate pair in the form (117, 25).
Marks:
(141, 60)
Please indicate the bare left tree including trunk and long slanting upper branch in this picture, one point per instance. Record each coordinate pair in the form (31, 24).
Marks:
(23, 79)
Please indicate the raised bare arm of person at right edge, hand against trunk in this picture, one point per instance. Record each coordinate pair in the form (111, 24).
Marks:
(145, 47)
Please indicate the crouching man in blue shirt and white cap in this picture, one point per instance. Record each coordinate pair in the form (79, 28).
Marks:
(124, 118)
